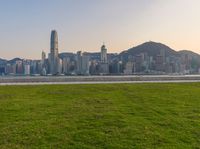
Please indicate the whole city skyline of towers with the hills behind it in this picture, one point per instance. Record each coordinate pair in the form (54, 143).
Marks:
(147, 58)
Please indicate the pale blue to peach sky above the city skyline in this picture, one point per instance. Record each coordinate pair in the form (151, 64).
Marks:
(25, 25)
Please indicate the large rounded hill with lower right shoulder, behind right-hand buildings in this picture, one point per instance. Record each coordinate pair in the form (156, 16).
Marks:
(153, 49)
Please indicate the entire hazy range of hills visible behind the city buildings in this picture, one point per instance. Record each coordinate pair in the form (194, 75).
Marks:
(150, 48)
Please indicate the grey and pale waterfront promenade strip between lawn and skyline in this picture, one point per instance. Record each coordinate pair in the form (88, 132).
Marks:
(39, 80)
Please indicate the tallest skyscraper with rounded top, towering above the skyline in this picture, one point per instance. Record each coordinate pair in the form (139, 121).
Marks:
(54, 59)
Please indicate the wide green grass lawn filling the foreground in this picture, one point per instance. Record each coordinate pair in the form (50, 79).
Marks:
(100, 116)
